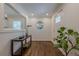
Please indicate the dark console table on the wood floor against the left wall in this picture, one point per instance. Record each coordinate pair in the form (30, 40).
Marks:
(24, 44)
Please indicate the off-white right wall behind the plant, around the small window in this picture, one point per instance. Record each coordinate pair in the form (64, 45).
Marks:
(69, 18)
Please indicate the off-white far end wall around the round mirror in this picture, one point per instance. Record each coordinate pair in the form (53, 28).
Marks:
(43, 35)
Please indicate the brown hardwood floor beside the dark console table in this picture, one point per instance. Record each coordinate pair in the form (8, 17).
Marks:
(40, 48)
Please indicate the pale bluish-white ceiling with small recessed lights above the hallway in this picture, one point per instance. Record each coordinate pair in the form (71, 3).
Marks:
(38, 9)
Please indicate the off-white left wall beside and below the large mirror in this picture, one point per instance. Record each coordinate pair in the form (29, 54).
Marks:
(6, 36)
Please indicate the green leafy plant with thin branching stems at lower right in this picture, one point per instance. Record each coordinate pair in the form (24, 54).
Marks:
(63, 39)
